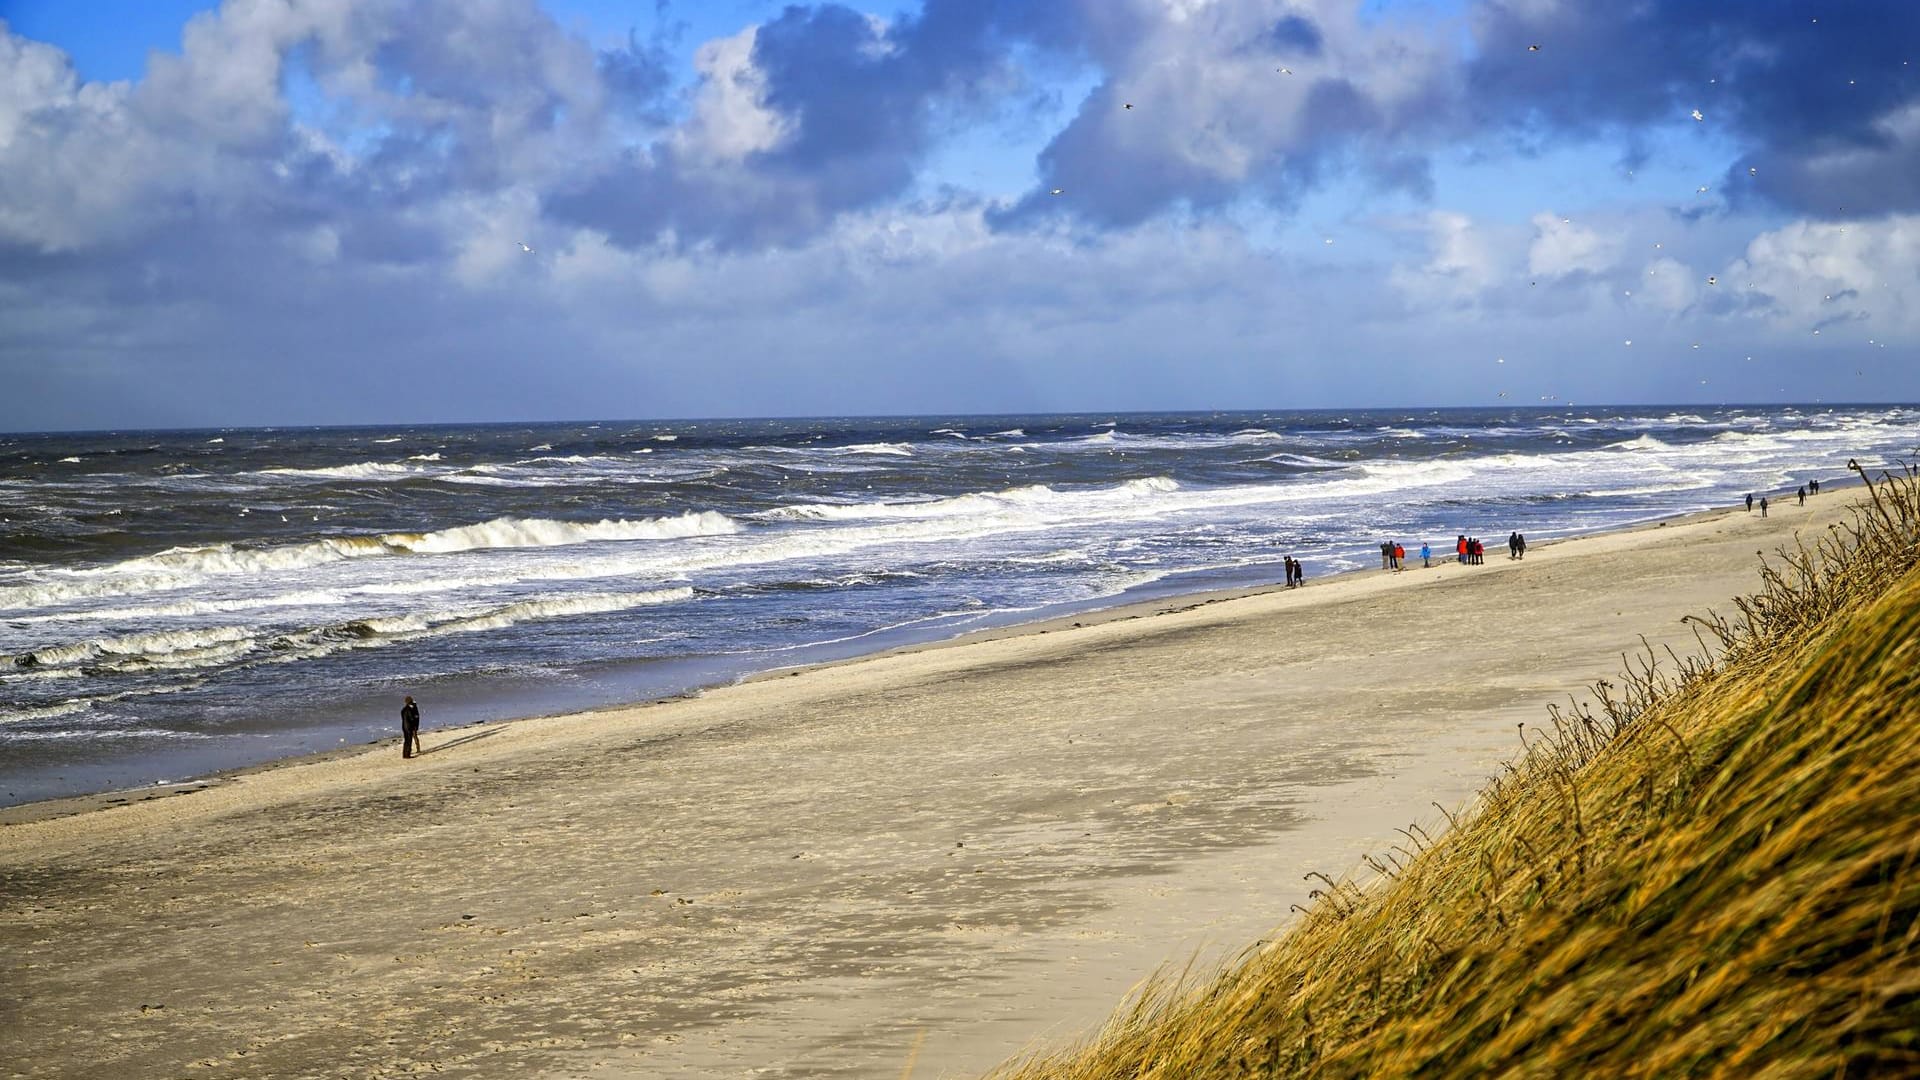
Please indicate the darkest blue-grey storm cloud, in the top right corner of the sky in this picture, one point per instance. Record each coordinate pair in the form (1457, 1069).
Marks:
(1825, 99)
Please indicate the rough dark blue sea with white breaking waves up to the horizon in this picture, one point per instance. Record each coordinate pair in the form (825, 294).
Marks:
(181, 602)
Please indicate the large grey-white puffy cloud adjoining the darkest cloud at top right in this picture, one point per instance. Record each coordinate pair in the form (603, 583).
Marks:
(1232, 103)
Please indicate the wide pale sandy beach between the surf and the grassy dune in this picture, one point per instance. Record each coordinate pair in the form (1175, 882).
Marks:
(928, 860)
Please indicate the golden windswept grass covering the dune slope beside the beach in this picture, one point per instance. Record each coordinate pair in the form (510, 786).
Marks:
(1708, 868)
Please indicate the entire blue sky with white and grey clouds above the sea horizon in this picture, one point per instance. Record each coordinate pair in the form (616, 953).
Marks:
(316, 212)
